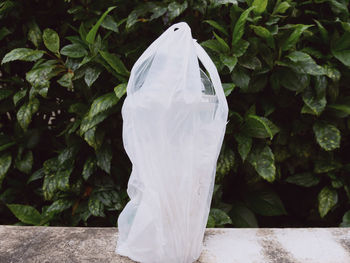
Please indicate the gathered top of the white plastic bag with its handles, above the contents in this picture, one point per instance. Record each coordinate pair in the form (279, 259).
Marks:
(172, 61)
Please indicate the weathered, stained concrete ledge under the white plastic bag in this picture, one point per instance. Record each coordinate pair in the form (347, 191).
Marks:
(240, 245)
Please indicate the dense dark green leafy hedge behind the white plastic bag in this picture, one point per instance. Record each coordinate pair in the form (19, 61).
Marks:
(284, 65)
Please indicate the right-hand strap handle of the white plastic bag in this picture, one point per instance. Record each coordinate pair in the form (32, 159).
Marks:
(214, 75)
